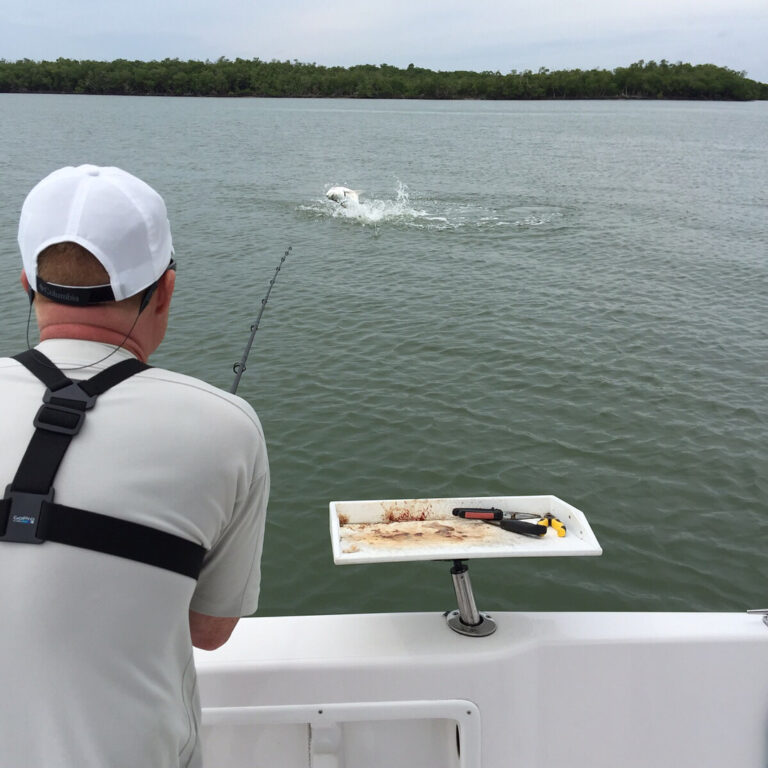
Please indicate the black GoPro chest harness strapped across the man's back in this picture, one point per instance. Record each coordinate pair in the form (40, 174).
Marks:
(28, 513)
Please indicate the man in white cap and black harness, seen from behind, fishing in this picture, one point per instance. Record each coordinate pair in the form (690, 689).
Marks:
(133, 517)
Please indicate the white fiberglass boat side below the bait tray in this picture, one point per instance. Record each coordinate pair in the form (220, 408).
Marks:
(545, 690)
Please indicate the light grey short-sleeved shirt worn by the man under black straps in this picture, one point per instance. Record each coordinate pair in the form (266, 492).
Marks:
(96, 665)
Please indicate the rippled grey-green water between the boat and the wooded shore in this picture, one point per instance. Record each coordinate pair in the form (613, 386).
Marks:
(566, 298)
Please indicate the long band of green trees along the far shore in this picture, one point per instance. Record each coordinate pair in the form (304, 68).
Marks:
(253, 77)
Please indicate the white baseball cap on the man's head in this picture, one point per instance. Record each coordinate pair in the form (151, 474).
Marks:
(119, 218)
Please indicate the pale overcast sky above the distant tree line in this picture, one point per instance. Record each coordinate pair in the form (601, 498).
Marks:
(447, 35)
